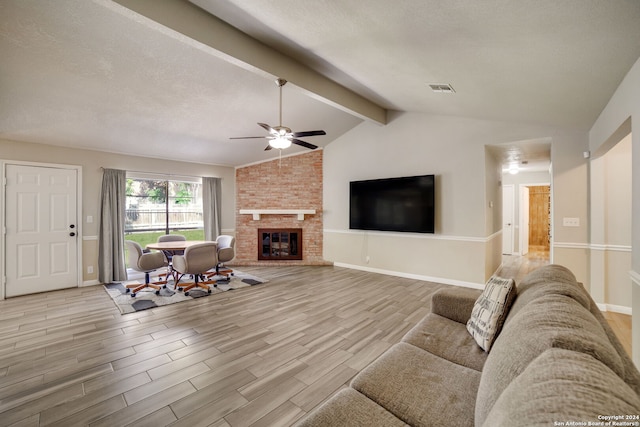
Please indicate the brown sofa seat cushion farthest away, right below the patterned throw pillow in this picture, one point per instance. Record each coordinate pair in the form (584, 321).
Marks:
(448, 339)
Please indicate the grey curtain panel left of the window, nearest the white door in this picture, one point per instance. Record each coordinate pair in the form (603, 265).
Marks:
(111, 265)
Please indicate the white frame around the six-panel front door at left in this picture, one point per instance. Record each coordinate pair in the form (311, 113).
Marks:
(3, 240)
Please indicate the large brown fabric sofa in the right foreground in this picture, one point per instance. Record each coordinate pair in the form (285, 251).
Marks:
(555, 362)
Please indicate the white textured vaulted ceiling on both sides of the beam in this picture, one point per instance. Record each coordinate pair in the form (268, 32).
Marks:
(93, 74)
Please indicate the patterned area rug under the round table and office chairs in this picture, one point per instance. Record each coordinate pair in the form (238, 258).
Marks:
(147, 298)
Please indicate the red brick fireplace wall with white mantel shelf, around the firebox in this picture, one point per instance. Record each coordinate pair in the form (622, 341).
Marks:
(280, 194)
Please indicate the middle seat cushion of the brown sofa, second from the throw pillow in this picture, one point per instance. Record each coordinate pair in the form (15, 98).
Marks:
(420, 388)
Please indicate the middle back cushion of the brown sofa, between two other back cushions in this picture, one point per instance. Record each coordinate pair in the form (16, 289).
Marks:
(551, 321)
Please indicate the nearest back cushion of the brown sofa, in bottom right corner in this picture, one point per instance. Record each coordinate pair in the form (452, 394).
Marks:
(559, 386)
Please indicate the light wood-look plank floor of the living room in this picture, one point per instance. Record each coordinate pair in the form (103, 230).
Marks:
(260, 356)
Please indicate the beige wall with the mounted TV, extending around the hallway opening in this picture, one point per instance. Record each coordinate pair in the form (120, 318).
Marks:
(465, 247)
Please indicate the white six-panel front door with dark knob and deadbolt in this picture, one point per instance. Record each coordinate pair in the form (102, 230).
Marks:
(41, 229)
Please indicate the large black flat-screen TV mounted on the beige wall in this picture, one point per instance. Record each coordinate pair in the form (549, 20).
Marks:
(403, 204)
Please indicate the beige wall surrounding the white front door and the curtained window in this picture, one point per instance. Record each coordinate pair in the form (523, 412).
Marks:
(92, 161)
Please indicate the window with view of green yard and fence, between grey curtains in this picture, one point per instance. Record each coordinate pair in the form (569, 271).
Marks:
(159, 205)
